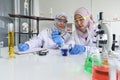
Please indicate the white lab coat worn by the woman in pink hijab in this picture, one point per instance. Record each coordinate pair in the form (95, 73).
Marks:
(75, 39)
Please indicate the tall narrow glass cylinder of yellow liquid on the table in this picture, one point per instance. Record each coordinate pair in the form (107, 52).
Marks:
(11, 40)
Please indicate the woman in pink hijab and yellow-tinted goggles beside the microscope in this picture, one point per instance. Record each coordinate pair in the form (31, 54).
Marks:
(84, 34)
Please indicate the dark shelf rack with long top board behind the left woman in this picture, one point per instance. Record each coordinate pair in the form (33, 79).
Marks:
(30, 33)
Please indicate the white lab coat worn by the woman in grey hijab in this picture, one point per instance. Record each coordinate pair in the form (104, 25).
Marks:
(44, 39)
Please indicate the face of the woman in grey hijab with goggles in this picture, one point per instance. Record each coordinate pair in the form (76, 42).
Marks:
(61, 23)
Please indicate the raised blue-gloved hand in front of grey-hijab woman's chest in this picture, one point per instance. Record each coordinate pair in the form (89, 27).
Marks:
(57, 37)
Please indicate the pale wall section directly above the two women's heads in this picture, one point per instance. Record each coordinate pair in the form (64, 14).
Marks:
(62, 6)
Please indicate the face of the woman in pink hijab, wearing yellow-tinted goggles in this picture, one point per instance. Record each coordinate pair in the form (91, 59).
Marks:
(81, 22)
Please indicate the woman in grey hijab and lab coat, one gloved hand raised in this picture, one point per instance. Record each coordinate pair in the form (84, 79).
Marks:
(52, 37)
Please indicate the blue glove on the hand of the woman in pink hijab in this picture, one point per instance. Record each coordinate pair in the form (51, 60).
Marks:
(77, 49)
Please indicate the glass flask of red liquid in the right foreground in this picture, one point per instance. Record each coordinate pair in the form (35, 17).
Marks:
(101, 71)
